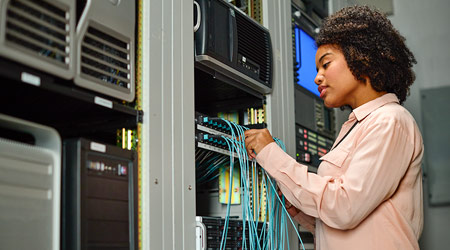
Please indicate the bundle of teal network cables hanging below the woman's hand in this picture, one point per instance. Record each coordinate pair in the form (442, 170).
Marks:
(274, 234)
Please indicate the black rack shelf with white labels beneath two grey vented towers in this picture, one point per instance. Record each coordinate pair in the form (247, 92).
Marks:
(39, 97)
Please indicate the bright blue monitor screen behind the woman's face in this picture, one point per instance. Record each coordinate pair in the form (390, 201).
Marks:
(305, 49)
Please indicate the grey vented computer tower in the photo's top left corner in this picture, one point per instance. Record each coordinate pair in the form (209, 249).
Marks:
(39, 34)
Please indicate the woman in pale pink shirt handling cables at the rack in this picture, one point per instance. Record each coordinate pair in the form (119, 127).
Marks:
(367, 193)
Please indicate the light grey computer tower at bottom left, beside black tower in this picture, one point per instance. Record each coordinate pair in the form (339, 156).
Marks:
(29, 185)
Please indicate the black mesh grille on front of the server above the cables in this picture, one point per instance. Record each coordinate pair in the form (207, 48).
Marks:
(254, 44)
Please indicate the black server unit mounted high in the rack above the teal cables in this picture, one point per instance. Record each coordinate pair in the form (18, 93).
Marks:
(229, 42)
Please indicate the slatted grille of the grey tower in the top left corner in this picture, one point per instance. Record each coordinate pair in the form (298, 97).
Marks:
(39, 28)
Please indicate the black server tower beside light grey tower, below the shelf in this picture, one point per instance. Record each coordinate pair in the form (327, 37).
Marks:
(99, 196)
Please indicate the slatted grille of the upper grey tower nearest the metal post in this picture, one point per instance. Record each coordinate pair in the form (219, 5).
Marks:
(105, 58)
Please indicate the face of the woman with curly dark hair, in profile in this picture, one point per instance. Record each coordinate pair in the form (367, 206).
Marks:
(337, 85)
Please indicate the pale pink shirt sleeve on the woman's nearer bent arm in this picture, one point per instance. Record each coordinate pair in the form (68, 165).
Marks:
(380, 160)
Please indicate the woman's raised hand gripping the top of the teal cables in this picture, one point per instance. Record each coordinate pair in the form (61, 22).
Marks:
(256, 140)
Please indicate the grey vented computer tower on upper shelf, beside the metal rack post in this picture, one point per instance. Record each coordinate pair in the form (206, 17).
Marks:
(105, 47)
